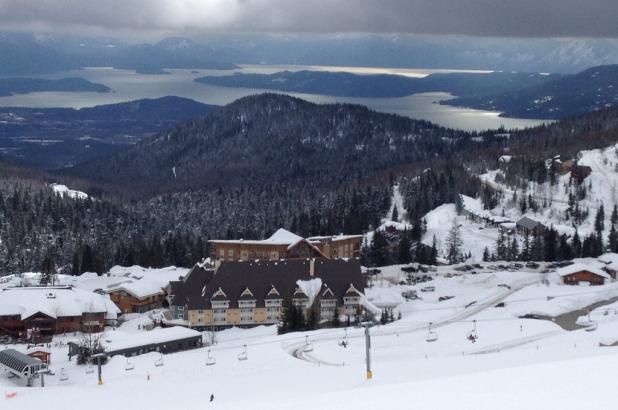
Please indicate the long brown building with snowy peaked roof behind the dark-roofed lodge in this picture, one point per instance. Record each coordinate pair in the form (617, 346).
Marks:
(287, 245)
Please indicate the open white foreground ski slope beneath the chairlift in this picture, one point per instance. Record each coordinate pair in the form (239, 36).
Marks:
(501, 369)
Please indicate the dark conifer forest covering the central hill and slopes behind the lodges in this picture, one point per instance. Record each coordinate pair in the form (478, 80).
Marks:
(262, 163)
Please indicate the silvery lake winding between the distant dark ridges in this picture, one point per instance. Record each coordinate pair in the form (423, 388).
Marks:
(128, 85)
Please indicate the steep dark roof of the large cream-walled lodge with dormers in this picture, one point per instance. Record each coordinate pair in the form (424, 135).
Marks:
(234, 277)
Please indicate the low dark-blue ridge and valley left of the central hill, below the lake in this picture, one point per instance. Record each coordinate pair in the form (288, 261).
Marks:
(48, 138)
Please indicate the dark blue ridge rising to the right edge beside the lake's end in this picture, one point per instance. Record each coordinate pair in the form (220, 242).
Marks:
(593, 89)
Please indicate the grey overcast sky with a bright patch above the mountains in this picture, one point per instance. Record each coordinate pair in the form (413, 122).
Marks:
(511, 18)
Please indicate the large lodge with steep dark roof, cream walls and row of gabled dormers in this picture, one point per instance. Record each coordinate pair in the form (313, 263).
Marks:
(250, 293)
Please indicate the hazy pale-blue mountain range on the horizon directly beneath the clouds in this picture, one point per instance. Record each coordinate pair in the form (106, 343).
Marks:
(26, 54)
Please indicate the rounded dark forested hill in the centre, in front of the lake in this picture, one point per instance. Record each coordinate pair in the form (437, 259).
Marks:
(273, 139)
